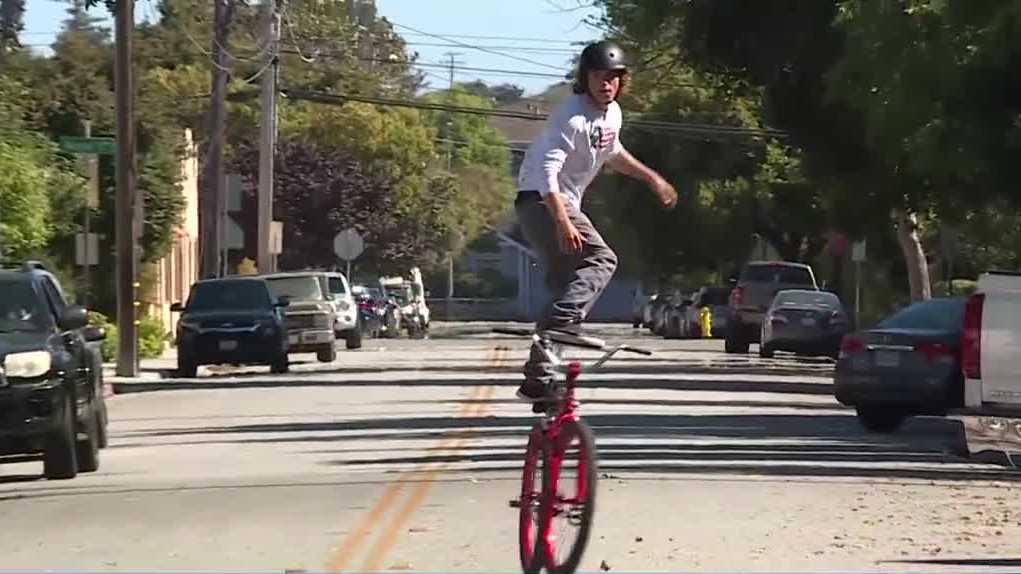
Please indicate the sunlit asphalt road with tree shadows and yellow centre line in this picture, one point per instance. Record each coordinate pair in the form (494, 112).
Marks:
(403, 457)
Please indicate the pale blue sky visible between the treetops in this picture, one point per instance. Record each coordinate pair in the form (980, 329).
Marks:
(541, 31)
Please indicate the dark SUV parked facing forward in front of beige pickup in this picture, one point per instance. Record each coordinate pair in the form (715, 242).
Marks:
(233, 321)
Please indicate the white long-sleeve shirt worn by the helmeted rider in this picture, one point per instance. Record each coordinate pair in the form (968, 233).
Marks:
(576, 141)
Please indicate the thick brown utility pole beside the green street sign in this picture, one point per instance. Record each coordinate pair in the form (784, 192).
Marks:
(126, 197)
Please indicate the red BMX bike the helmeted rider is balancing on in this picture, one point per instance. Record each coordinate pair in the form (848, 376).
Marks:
(553, 503)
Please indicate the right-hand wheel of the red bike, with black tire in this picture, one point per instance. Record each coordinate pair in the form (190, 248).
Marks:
(569, 502)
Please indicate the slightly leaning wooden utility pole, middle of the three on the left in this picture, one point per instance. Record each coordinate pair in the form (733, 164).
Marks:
(212, 201)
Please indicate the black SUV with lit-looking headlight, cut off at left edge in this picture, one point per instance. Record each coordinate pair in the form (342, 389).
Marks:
(52, 382)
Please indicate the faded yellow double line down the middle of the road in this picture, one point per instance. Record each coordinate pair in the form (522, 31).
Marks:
(419, 482)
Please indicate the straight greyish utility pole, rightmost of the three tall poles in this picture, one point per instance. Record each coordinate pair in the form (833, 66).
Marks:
(268, 140)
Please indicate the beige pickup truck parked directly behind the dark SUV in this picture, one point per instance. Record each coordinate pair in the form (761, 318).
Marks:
(311, 317)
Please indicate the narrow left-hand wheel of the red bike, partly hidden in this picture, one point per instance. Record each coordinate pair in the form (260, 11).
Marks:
(530, 548)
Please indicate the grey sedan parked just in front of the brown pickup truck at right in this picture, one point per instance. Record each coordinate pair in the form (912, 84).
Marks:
(805, 322)
